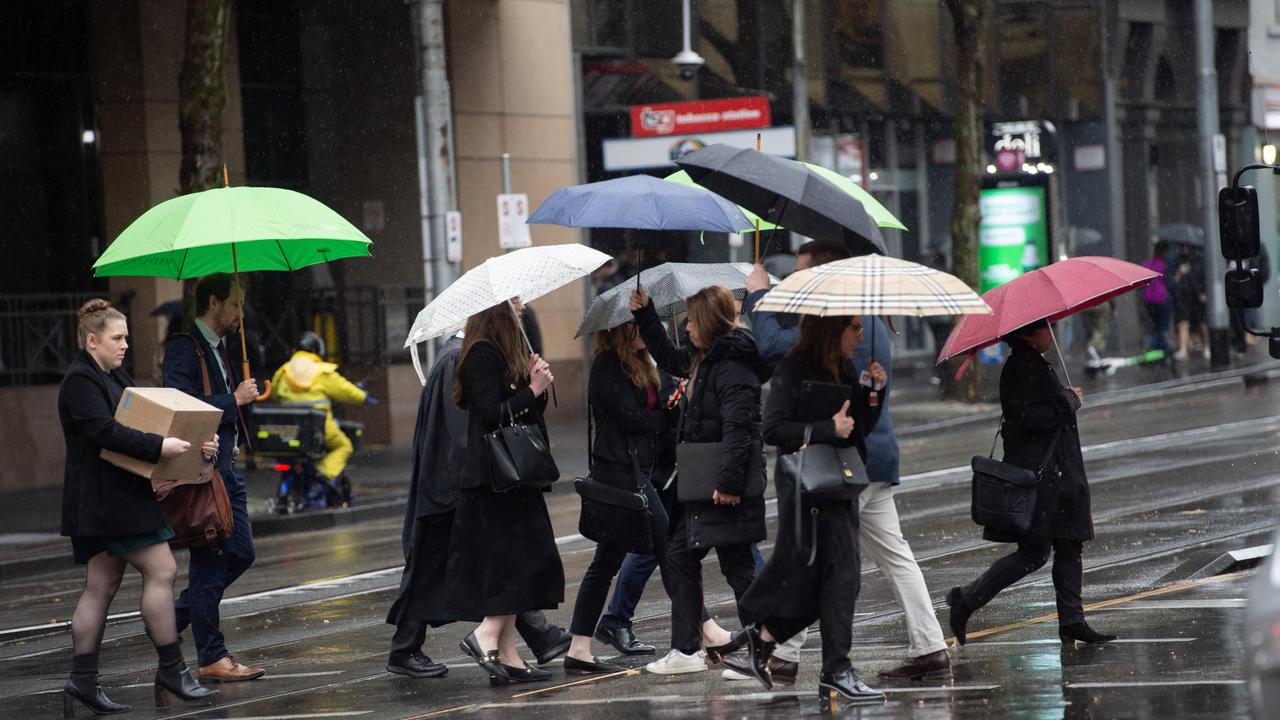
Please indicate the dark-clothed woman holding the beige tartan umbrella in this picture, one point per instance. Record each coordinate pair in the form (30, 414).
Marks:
(820, 581)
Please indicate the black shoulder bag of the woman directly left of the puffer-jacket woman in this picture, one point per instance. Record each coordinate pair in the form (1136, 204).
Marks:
(611, 516)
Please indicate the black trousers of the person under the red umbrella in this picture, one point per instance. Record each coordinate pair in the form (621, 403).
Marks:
(1031, 557)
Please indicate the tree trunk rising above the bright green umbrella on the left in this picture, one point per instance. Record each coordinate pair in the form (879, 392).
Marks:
(203, 94)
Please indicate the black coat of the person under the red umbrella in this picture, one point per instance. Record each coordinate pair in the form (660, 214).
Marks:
(1036, 407)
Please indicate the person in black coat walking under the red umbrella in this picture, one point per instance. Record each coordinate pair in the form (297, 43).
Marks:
(1040, 422)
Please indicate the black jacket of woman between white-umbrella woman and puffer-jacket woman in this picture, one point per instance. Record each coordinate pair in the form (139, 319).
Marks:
(619, 411)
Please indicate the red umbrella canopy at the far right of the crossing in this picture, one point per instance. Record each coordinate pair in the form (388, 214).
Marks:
(1046, 294)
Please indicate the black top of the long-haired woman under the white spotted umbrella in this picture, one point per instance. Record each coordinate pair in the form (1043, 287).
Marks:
(483, 375)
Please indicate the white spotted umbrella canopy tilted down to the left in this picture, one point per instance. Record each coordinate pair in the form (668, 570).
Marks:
(525, 274)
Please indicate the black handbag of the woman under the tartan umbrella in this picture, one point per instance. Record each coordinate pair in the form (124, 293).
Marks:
(822, 473)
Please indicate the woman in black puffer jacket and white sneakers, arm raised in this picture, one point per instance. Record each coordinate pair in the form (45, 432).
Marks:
(723, 405)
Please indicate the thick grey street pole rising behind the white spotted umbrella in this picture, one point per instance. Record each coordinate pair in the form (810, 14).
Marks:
(435, 116)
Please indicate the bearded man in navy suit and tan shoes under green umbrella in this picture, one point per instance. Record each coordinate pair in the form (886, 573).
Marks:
(218, 312)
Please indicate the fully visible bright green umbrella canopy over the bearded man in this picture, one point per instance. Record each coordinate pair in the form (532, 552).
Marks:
(231, 230)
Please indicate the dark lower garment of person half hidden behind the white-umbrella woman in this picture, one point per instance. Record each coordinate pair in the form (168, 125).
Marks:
(423, 598)
